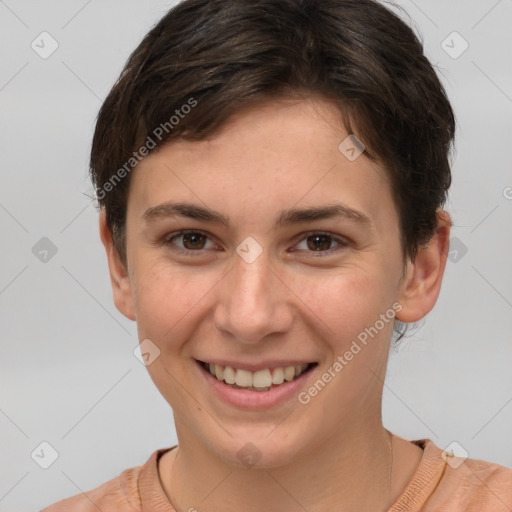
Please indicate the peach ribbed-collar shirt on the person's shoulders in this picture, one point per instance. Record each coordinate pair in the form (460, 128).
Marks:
(474, 486)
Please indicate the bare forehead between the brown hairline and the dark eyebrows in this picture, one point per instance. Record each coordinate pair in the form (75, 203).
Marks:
(276, 155)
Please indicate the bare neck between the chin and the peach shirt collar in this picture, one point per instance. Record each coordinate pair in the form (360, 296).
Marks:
(358, 473)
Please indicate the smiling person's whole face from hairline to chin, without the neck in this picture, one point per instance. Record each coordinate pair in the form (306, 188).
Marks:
(228, 263)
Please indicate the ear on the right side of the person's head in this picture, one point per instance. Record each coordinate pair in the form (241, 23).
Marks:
(424, 275)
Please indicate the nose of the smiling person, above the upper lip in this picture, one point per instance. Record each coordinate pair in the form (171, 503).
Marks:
(253, 302)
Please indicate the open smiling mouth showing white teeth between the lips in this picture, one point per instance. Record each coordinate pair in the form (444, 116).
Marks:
(261, 380)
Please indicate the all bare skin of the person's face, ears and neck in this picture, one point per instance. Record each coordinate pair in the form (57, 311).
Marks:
(291, 302)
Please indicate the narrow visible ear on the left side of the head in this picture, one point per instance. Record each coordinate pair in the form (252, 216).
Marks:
(119, 277)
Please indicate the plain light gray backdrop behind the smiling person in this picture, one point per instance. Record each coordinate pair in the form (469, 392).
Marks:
(68, 373)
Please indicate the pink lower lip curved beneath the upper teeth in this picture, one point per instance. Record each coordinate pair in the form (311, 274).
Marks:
(254, 399)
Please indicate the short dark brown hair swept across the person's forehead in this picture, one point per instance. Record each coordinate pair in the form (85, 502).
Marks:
(224, 55)
